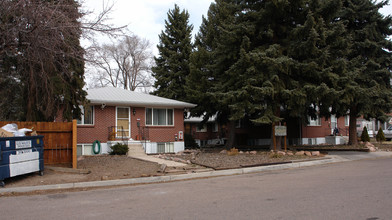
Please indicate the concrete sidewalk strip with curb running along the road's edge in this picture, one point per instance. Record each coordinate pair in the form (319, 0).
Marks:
(333, 157)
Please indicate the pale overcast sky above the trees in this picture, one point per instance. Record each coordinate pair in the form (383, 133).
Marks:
(146, 17)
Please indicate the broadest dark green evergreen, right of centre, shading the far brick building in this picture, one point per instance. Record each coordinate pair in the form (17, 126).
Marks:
(266, 59)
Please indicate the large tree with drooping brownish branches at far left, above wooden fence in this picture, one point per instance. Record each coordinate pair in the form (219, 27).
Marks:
(44, 65)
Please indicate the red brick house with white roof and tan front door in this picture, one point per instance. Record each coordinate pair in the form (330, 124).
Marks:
(115, 115)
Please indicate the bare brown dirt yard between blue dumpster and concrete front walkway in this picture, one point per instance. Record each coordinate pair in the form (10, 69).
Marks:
(102, 167)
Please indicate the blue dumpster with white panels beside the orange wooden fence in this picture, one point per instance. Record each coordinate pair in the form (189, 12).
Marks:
(21, 155)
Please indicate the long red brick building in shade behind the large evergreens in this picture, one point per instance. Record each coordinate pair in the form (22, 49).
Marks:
(318, 131)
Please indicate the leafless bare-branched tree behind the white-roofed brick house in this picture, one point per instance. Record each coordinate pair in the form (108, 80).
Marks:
(125, 64)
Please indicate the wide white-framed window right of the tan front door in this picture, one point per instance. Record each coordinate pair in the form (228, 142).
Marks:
(158, 116)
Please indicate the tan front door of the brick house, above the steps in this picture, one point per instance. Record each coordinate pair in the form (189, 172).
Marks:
(123, 118)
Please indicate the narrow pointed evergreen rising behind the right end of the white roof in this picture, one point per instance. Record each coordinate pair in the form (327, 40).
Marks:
(172, 64)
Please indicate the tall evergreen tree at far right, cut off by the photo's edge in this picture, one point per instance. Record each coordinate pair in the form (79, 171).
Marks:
(366, 87)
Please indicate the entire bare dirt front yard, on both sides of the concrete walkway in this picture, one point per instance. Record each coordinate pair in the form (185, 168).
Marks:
(106, 167)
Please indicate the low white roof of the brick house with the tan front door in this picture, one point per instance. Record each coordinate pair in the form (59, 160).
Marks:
(116, 96)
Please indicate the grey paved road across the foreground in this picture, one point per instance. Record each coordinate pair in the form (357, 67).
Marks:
(349, 190)
